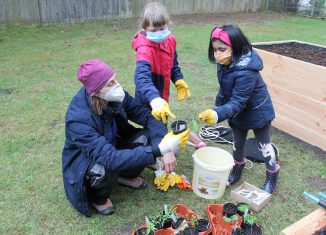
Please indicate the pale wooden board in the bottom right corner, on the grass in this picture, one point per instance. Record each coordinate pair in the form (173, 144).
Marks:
(308, 225)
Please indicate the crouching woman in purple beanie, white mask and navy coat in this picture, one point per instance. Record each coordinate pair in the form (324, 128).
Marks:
(102, 149)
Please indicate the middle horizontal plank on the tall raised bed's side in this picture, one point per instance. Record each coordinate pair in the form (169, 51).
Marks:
(290, 98)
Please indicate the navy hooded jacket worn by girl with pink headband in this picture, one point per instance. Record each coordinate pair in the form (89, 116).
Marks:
(243, 97)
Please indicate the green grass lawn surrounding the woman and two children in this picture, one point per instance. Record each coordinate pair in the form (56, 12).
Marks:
(37, 81)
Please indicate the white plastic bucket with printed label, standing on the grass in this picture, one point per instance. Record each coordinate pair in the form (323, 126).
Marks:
(212, 167)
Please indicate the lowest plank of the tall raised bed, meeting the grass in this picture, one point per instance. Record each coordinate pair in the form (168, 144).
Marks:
(298, 130)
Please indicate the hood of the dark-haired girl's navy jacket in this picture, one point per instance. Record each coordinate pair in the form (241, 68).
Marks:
(251, 61)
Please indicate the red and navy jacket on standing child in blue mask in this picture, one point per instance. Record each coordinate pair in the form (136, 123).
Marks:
(156, 65)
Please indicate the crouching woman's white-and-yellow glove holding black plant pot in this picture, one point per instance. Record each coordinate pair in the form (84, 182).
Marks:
(172, 142)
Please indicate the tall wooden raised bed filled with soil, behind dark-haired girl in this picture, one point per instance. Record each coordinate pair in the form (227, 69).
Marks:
(298, 88)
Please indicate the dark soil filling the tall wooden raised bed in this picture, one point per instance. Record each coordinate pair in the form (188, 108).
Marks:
(300, 51)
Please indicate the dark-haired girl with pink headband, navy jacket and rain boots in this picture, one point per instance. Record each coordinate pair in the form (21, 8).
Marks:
(243, 99)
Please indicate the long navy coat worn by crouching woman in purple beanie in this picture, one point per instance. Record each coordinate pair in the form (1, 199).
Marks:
(92, 137)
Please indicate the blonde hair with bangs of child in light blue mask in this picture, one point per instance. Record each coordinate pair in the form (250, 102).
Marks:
(154, 14)
